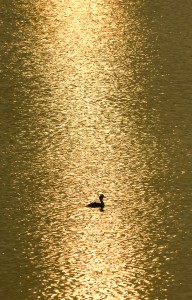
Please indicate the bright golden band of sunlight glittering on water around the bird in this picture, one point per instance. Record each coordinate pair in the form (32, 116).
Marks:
(93, 255)
